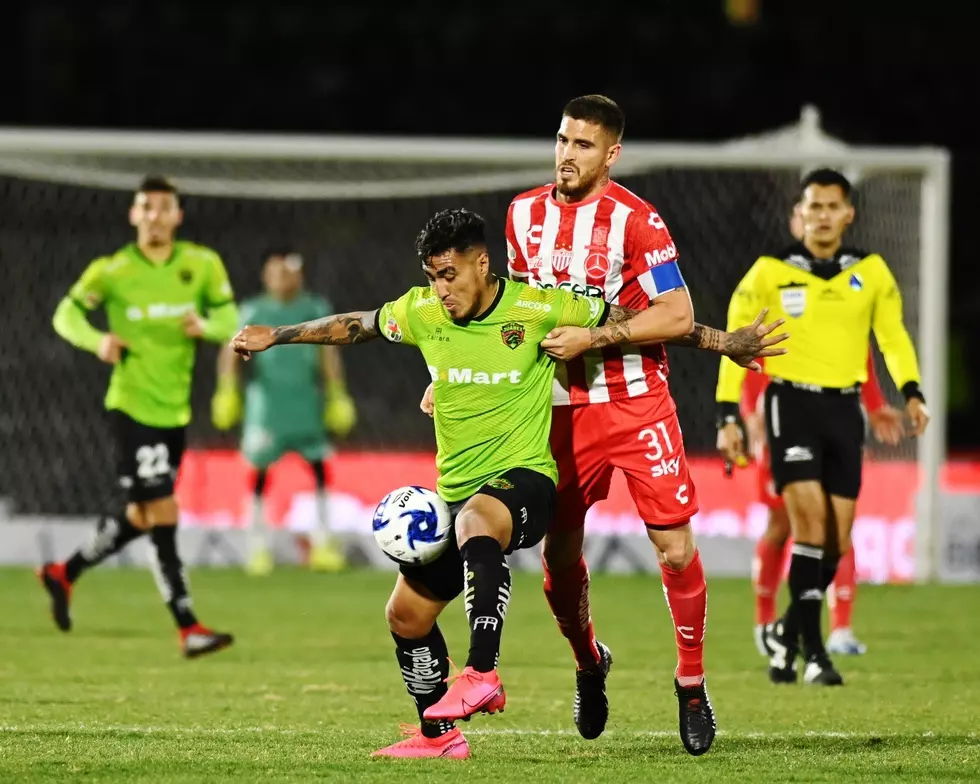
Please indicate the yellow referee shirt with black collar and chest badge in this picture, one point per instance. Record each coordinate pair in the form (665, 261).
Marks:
(830, 307)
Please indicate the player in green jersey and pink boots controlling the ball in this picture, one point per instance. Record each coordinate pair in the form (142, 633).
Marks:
(480, 336)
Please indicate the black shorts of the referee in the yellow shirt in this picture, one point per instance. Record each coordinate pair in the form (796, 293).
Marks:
(815, 436)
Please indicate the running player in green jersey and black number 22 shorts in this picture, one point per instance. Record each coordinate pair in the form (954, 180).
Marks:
(161, 296)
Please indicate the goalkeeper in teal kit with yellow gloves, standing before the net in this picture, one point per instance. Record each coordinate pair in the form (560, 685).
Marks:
(292, 401)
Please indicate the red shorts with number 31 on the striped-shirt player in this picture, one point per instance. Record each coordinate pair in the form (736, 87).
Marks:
(589, 441)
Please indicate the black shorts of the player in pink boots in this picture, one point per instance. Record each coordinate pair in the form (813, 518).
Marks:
(530, 497)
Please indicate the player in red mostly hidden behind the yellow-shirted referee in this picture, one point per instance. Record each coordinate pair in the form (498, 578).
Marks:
(772, 549)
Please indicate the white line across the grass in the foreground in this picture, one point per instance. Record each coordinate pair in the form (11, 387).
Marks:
(532, 732)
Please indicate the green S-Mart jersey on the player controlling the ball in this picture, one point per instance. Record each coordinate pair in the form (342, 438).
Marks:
(491, 380)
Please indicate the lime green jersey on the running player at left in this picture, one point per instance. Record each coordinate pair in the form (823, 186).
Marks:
(145, 304)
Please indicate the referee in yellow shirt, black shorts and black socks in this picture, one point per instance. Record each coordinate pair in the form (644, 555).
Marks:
(833, 297)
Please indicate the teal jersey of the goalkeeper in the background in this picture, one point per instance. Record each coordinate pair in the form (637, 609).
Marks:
(285, 392)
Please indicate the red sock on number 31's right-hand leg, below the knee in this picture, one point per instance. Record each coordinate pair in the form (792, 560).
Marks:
(687, 598)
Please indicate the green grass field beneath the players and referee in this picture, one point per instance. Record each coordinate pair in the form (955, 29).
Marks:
(310, 689)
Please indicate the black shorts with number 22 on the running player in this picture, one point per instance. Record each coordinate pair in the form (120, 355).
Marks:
(148, 457)
